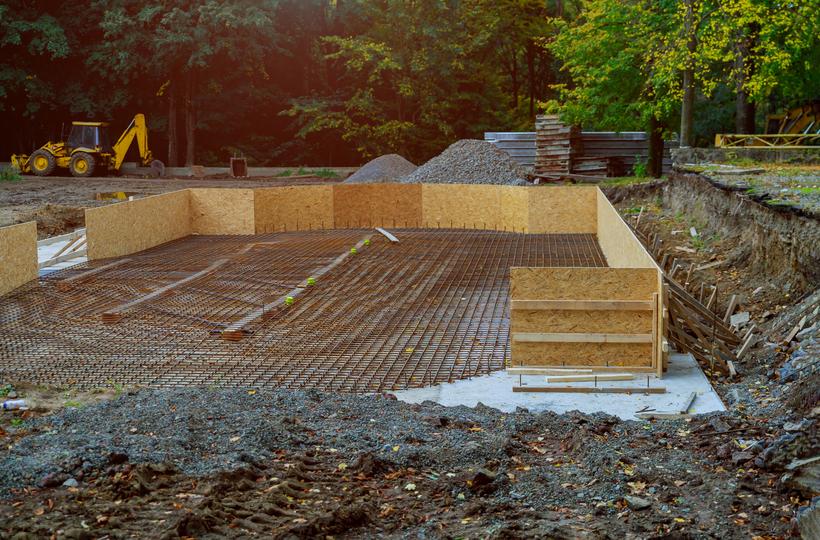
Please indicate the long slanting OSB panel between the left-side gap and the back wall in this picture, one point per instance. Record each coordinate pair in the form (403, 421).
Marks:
(127, 227)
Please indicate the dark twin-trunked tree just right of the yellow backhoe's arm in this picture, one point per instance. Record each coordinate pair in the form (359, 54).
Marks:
(180, 44)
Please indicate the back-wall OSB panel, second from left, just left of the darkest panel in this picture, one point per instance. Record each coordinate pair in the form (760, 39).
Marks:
(293, 208)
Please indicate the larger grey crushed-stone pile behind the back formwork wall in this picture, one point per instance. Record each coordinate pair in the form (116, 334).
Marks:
(470, 161)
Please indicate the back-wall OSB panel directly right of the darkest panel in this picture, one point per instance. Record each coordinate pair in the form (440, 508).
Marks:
(461, 206)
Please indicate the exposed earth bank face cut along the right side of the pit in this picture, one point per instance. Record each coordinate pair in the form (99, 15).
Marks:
(780, 244)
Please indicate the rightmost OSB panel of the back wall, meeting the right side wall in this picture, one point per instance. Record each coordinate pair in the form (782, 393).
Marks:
(562, 209)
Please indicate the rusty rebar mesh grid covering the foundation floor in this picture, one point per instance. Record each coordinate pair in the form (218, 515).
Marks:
(430, 309)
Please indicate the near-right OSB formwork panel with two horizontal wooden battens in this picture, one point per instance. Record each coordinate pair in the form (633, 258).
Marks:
(584, 317)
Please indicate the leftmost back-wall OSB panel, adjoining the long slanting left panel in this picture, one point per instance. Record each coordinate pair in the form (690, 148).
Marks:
(222, 211)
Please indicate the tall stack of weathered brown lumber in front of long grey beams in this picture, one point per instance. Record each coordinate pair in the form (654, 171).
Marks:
(556, 145)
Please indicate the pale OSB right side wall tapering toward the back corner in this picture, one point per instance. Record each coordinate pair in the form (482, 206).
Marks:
(619, 244)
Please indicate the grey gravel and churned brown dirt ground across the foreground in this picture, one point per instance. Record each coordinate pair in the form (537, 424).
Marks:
(304, 464)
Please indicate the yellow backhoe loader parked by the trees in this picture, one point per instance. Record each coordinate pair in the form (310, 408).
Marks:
(88, 150)
